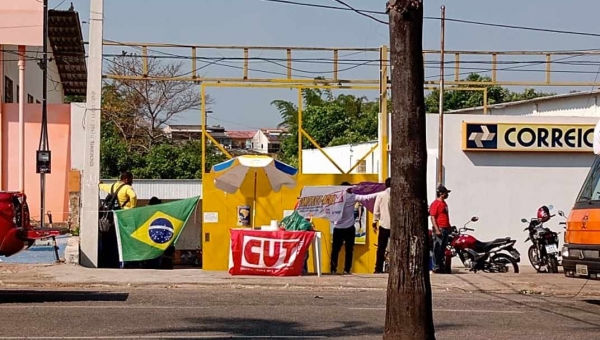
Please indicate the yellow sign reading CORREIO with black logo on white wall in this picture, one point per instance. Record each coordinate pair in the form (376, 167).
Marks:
(527, 137)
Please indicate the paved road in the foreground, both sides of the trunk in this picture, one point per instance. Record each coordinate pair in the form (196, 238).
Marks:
(219, 313)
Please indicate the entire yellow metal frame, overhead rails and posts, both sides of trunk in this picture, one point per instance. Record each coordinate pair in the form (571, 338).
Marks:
(381, 84)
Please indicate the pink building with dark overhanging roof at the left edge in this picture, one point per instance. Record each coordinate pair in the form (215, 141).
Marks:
(20, 42)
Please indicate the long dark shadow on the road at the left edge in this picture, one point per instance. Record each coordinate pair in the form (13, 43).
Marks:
(41, 296)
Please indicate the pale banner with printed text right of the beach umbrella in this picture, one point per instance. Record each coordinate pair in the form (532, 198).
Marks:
(322, 202)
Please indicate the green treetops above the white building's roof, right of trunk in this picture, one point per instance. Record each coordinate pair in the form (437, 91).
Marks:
(456, 100)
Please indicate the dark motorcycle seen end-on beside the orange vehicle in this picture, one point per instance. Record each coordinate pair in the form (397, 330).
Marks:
(544, 252)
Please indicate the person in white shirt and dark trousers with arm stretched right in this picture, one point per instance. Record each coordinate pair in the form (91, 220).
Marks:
(344, 231)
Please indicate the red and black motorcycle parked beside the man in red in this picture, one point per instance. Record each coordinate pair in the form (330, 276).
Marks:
(497, 256)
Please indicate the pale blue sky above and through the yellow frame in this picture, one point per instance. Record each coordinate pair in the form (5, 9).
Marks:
(256, 22)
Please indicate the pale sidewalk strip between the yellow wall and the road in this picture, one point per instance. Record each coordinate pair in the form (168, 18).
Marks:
(72, 276)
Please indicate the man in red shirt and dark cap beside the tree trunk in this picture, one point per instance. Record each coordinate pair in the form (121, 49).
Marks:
(441, 227)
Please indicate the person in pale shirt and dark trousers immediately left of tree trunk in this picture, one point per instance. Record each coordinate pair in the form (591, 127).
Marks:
(381, 216)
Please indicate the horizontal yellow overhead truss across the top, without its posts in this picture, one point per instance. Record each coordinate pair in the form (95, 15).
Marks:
(460, 58)
